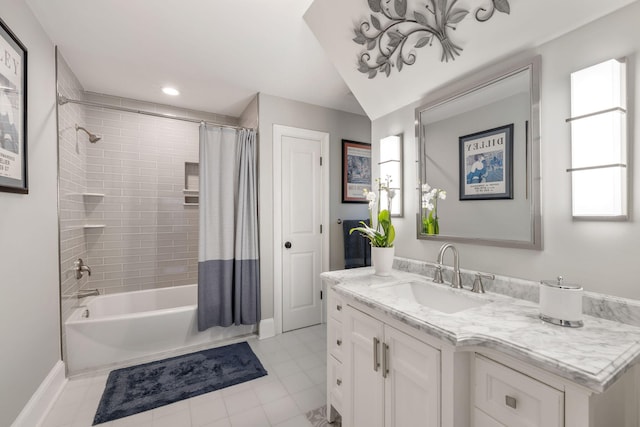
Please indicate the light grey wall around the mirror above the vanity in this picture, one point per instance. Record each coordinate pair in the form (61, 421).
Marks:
(602, 256)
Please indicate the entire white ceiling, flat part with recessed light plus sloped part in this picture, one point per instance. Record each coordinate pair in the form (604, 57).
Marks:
(219, 54)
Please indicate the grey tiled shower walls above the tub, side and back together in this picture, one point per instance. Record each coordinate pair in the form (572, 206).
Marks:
(121, 199)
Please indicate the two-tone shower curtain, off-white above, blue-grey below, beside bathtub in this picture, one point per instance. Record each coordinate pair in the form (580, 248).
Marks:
(228, 264)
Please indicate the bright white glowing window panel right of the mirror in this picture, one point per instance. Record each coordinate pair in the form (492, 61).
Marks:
(599, 141)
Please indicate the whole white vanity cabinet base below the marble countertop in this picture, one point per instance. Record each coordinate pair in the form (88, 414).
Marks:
(382, 372)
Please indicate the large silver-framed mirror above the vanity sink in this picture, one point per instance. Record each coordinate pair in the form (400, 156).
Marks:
(481, 146)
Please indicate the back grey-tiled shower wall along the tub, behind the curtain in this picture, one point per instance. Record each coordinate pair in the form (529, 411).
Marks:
(150, 237)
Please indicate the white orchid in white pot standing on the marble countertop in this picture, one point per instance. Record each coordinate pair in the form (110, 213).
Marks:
(381, 234)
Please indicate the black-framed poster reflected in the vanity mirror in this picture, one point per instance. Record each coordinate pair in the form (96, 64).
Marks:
(486, 164)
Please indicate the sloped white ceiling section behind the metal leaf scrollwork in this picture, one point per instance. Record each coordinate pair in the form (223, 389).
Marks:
(529, 24)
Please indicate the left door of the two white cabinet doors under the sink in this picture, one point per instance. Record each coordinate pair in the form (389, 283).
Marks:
(364, 385)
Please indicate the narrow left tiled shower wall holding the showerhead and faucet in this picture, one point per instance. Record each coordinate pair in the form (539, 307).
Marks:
(72, 184)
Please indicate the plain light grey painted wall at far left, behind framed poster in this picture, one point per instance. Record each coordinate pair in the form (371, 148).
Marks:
(29, 308)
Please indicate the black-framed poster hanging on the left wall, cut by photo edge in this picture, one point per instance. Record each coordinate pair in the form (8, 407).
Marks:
(13, 113)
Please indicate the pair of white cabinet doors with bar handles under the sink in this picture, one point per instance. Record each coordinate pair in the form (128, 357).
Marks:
(391, 379)
